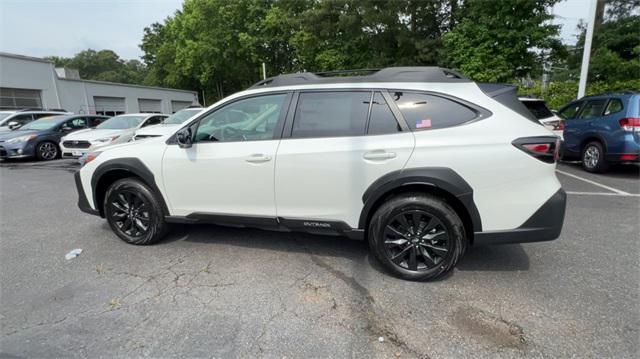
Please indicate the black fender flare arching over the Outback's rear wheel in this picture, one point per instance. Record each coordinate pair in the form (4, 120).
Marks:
(442, 178)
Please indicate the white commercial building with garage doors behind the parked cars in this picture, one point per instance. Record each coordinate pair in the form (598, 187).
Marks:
(29, 82)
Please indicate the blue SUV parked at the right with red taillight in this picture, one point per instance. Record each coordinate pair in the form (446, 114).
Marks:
(602, 129)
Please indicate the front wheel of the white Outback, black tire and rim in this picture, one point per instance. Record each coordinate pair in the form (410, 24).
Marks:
(134, 212)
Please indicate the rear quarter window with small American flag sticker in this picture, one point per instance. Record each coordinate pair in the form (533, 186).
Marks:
(424, 112)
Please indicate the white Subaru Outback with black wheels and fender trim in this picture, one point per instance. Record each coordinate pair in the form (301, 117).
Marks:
(419, 161)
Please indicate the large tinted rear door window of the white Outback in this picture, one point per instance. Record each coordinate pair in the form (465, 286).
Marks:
(330, 114)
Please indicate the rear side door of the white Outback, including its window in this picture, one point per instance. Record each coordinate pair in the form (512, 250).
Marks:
(336, 144)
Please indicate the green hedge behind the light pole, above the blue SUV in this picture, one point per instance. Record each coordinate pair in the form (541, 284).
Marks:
(559, 94)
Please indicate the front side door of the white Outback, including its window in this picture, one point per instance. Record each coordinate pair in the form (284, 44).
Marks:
(229, 170)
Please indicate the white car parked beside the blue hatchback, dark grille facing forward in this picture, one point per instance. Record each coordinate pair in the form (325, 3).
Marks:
(118, 129)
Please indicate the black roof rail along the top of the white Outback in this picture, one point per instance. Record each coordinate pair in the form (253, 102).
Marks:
(389, 74)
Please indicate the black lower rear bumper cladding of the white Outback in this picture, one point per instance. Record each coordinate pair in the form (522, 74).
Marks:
(544, 225)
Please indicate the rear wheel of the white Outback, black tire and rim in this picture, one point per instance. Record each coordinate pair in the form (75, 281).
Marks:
(404, 250)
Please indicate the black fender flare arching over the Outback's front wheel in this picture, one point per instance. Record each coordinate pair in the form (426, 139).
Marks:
(130, 164)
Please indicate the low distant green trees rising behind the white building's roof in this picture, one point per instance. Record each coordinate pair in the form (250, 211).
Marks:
(103, 65)
